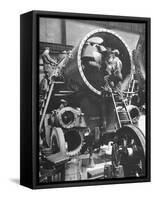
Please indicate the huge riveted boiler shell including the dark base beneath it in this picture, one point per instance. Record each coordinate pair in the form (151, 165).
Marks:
(84, 70)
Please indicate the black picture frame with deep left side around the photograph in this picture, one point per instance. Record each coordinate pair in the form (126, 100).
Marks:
(29, 89)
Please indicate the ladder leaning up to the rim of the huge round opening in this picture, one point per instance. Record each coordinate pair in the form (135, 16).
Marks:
(120, 102)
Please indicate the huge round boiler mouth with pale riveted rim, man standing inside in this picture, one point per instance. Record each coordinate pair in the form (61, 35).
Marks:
(91, 60)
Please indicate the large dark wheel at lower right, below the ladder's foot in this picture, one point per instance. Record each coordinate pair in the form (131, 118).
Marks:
(129, 151)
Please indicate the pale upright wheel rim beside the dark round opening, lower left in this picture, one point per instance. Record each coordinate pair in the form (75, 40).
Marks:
(57, 141)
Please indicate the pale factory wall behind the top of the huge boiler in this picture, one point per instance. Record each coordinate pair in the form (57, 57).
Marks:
(51, 30)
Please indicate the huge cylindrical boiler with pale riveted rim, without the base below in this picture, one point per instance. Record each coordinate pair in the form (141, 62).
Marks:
(82, 71)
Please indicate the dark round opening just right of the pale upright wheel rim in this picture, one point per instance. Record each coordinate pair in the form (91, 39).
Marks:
(74, 141)
